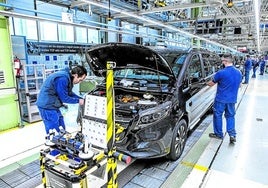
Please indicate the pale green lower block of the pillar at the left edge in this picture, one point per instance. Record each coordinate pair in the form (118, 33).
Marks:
(9, 112)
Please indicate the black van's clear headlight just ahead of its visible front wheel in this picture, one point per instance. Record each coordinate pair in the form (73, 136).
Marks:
(155, 114)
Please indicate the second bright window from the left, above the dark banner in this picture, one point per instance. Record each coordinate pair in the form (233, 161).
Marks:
(51, 28)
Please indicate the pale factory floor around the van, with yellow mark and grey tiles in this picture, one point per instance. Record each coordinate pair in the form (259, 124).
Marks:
(206, 162)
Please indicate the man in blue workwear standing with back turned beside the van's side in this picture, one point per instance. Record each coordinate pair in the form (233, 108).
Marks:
(228, 81)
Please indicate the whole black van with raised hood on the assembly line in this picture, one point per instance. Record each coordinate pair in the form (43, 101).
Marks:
(160, 94)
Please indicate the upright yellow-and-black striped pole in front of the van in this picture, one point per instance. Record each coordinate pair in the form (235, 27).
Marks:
(111, 160)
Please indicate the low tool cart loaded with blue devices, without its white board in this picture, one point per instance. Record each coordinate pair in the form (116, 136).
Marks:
(70, 158)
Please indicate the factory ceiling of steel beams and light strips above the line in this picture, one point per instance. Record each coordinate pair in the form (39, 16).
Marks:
(238, 24)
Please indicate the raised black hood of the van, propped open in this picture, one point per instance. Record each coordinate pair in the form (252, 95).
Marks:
(125, 54)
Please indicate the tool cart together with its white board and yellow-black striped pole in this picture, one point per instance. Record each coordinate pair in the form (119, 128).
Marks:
(70, 158)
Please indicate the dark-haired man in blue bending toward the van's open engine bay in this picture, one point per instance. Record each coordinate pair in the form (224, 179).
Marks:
(57, 90)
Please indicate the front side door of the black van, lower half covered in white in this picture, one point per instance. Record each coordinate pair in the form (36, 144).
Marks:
(201, 69)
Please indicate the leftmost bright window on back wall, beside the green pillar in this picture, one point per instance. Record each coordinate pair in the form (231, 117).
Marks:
(25, 28)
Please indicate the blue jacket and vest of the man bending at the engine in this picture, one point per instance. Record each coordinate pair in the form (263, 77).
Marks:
(56, 90)
